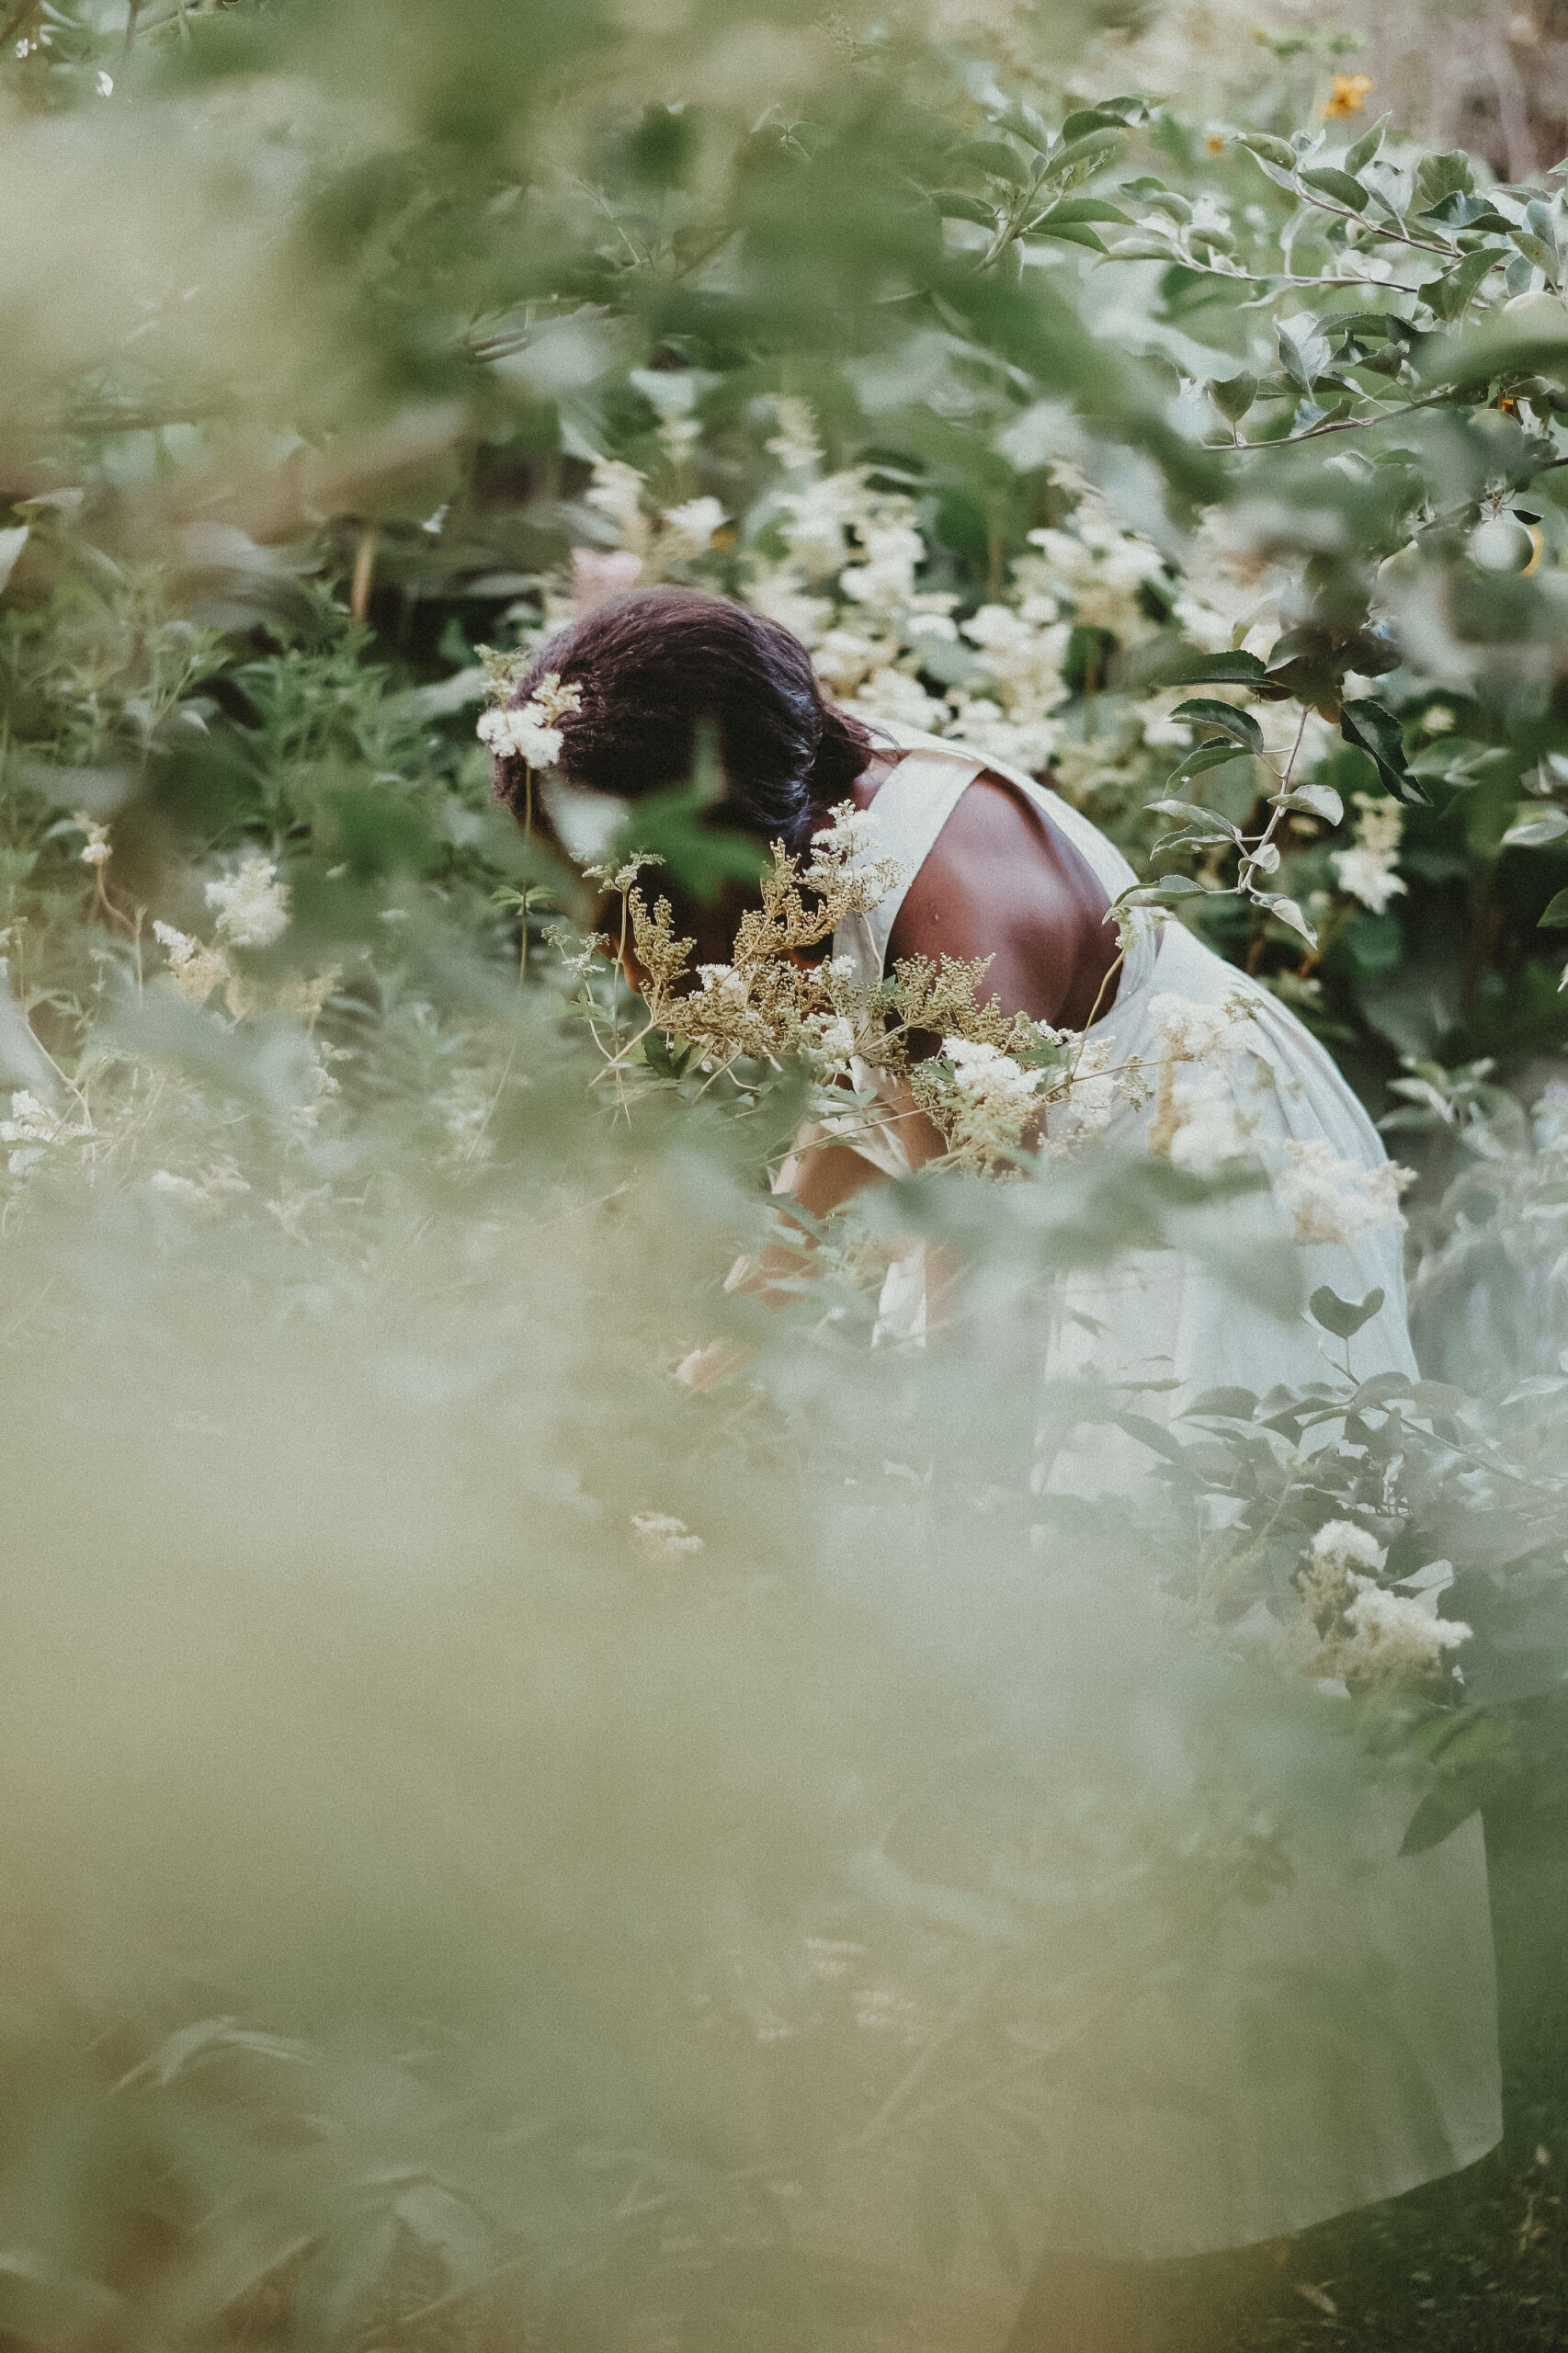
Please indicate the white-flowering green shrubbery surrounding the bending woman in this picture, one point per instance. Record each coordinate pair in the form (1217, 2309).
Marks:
(512, 1827)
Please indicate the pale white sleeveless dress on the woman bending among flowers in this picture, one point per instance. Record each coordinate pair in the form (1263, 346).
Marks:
(1397, 2081)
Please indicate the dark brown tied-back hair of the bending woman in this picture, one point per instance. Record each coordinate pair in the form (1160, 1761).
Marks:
(658, 665)
